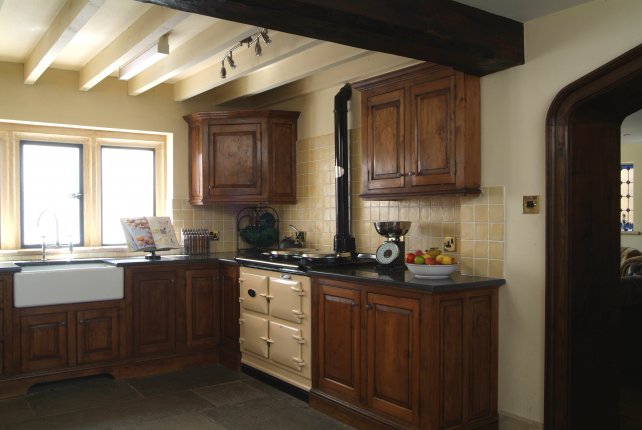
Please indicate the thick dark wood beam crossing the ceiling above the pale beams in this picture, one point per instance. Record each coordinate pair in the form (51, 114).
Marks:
(439, 31)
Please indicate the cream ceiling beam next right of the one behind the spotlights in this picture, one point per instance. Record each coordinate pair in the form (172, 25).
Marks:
(314, 60)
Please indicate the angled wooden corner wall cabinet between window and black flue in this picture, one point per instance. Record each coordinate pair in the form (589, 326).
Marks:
(242, 157)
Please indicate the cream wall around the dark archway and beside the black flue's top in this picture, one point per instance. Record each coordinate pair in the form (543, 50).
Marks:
(560, 48)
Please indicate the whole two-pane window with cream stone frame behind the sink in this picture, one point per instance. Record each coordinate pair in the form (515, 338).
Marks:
(71, 184)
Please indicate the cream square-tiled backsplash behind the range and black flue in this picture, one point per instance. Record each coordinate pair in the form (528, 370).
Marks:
(476, 222)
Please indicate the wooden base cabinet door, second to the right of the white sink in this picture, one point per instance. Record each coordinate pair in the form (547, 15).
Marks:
(202, 304)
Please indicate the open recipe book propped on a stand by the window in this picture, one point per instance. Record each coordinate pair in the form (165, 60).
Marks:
(149, 233)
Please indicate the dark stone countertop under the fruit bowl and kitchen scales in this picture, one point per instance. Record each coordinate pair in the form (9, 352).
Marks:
(404, 278)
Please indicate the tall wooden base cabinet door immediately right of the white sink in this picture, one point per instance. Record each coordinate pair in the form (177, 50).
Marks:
(154, 313)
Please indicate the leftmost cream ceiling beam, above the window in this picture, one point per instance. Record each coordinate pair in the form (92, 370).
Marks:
(70, 20)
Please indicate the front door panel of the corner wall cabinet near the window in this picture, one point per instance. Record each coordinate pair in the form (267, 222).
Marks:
(234, 160)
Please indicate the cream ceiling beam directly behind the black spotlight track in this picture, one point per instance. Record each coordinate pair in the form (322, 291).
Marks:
(282, 46)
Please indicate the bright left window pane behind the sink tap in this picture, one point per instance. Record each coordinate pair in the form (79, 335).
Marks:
(51, 187)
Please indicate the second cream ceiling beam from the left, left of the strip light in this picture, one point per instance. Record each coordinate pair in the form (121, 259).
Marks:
(142, 34)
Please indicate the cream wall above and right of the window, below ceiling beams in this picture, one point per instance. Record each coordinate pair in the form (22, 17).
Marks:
(55, 99)
